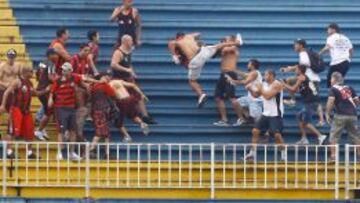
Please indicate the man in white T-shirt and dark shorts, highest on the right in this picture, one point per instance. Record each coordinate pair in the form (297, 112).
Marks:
(341, 50)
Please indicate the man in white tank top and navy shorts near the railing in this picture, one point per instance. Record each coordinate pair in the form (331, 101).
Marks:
(271, 120)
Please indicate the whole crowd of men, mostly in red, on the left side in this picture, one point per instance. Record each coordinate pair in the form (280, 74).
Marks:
(72, 90)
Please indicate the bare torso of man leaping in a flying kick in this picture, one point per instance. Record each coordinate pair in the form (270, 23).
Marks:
(188, 46)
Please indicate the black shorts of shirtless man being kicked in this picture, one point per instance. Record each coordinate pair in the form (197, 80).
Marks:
(224, 90)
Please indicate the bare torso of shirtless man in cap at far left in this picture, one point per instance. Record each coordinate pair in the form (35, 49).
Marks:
(9, 73)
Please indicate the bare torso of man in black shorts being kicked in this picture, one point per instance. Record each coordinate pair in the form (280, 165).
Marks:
(230, 57)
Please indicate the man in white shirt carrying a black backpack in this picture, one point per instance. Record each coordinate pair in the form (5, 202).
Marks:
(304, 59)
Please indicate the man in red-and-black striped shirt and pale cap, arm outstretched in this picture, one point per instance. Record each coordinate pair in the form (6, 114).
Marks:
(62, 97)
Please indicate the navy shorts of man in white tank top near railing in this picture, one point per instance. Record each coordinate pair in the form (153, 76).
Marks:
(271, 124)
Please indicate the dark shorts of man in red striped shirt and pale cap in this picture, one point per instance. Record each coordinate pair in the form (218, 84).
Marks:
(65, 119)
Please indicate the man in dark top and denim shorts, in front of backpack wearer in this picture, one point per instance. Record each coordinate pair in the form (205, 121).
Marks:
(310, 95)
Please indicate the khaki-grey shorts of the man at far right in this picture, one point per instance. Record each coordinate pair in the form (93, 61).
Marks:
(347, 123)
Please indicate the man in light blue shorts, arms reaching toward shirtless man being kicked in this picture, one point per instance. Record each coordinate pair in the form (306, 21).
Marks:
(253, 104)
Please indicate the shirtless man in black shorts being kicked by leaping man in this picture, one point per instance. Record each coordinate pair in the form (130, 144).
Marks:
(224, 90)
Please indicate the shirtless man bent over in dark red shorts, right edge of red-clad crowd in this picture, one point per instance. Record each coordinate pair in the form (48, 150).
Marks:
(127, 106)
